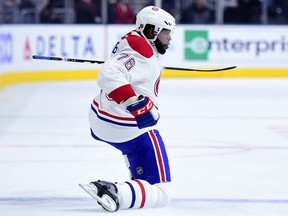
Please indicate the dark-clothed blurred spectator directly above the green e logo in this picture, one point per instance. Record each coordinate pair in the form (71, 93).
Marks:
(198, 13)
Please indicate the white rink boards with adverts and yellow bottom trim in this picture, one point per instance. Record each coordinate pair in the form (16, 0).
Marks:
(259, 54)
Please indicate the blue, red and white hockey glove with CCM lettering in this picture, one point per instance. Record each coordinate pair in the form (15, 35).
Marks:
(144, 112)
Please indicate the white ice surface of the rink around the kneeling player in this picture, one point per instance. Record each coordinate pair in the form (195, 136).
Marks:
(227, 140)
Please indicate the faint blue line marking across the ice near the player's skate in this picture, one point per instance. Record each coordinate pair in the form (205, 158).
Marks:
(207, 200)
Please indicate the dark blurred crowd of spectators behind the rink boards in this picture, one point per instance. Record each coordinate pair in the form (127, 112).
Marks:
(123, 11)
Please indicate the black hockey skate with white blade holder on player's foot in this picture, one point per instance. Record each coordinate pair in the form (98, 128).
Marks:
(104, 192)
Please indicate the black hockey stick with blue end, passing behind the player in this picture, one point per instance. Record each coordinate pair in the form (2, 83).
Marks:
(53, 58)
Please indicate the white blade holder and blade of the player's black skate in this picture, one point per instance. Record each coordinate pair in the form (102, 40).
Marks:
(105, 201)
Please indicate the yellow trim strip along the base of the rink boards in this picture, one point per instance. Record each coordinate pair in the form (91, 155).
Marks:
(12, 78)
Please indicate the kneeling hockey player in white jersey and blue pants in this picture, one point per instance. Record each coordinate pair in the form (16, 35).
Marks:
(125, 114)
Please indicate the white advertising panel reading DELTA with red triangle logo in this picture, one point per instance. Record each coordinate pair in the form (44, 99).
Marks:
(19, 42)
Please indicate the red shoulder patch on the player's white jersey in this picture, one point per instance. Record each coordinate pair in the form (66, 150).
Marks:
(140, 45)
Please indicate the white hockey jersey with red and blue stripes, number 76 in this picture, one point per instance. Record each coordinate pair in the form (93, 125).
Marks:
(134, 68)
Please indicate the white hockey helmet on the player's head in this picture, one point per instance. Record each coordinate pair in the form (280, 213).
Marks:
(154, 16)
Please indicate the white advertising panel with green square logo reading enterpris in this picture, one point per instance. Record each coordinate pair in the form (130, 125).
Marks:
(244, 46)
